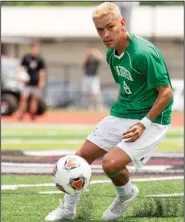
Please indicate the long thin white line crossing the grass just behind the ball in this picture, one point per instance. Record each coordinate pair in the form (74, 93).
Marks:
(13, 187)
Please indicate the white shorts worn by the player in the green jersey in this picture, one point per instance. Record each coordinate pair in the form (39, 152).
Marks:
(108, 134)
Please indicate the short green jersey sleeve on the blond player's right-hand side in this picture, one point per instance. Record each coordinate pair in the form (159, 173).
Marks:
(155, 69)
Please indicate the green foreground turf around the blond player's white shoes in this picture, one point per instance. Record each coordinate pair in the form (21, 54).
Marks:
(27, 205)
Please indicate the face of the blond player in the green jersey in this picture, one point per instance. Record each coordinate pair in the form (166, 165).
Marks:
(109, 29)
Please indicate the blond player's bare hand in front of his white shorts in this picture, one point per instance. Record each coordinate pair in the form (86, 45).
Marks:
(133, 133)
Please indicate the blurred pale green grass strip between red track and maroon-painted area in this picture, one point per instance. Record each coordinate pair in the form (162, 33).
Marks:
(30, 137)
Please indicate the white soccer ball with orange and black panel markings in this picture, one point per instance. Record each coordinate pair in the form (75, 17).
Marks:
(72, 174)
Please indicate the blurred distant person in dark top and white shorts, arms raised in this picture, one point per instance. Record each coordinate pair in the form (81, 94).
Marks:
(91, 80)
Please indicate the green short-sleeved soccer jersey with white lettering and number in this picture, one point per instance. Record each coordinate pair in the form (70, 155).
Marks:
(139, 70)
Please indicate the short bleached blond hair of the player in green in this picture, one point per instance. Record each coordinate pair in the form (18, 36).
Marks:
(106, 8)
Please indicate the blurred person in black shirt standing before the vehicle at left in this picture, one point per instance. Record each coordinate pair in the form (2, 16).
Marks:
(34, 65)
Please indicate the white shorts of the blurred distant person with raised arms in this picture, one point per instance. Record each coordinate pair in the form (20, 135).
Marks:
(91, 84)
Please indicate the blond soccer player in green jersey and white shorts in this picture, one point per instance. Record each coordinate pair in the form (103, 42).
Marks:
(139, 119)
